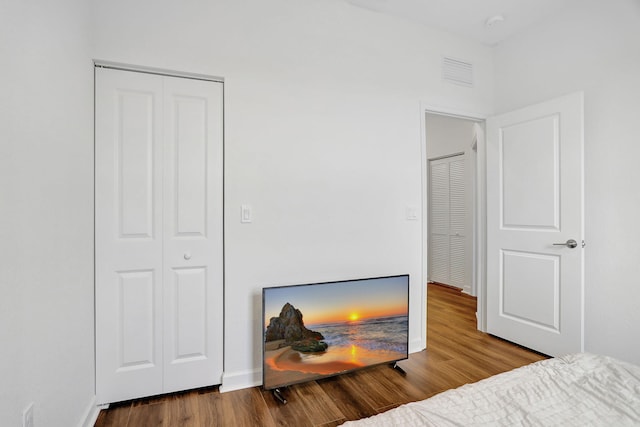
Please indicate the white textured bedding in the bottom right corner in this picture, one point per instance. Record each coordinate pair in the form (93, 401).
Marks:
(575, 390)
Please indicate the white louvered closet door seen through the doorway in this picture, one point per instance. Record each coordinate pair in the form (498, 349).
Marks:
(447, 221)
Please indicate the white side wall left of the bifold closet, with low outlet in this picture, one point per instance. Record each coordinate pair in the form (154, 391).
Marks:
(46, 212)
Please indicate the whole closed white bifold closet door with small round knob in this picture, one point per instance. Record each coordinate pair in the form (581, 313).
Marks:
(158, 231)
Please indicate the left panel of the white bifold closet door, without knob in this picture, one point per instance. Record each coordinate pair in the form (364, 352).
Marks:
(128, 233)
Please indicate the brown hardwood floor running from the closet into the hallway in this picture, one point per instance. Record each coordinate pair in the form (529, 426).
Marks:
(456, 354)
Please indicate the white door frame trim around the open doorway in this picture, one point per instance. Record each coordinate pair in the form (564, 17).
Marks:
(478, 273)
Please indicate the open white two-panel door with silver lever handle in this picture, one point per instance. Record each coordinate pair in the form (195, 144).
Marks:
(534, 206)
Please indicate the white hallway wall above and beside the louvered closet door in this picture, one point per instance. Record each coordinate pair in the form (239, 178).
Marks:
(446, 136)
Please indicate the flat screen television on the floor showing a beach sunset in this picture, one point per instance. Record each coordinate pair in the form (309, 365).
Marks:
(318, 330)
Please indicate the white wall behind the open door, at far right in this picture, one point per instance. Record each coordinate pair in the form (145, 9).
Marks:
(595, 48)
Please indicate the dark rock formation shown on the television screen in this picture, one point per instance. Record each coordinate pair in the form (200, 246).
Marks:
(288, 326)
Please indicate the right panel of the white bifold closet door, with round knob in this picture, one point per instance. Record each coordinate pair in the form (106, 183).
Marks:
(193, 233)
